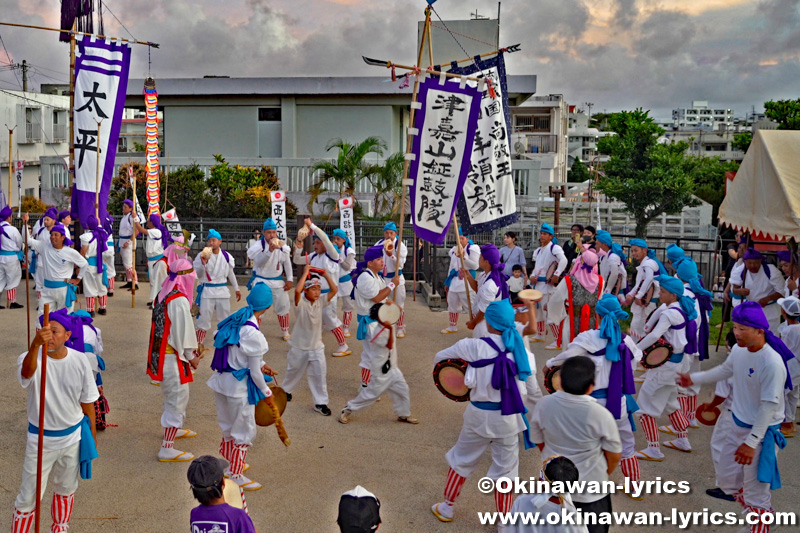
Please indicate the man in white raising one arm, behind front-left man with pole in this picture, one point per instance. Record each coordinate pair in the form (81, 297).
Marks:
(57, 262)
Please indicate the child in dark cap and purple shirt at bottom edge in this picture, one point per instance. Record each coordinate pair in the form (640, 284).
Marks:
(213, 514)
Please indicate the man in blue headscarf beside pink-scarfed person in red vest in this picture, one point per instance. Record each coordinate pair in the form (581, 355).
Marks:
(214, 267)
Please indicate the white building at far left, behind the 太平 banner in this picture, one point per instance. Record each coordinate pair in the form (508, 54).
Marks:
(40, 129)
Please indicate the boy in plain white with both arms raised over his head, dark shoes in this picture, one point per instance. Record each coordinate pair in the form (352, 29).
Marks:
(307, 352)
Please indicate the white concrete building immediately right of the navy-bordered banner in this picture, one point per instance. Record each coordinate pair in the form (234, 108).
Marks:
(540, 134)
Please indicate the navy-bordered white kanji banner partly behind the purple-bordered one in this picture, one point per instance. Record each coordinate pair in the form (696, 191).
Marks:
(489, 201)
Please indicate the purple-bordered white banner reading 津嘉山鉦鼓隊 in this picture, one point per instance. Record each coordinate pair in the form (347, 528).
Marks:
(444, 132)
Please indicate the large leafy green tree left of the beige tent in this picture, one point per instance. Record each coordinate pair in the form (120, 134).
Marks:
(648, 177)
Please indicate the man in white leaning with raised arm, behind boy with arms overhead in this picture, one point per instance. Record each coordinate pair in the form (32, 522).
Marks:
(326, 257)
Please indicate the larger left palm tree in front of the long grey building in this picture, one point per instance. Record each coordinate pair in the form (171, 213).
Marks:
(342, 175)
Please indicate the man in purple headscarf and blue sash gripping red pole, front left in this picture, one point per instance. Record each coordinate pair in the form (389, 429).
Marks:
(69, 437)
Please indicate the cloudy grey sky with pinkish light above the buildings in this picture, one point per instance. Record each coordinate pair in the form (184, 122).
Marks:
(618, 54)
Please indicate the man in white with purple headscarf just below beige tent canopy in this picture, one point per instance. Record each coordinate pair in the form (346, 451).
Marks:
(757, 281)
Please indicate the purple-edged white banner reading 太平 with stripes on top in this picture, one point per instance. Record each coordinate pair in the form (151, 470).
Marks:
(101, 81)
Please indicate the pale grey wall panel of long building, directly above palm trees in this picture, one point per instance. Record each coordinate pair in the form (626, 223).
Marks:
(316, 125)
